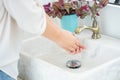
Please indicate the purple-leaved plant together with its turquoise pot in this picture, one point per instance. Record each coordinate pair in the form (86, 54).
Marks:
(74, 8)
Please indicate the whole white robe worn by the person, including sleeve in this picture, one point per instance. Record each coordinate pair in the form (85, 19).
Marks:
(17, 17)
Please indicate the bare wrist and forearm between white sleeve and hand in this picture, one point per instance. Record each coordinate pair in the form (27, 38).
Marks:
(53, 31)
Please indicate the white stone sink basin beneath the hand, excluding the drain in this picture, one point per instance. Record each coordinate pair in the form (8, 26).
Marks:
(41, 59)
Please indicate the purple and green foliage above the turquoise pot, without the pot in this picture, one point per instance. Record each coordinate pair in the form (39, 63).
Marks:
(81, 8)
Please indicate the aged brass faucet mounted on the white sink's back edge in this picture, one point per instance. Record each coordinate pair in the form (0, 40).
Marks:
(94, 28)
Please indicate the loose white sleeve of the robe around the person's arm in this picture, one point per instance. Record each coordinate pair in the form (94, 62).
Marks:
(29, 15)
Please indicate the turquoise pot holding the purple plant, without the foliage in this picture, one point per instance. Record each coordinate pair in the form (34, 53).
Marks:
(69, 22)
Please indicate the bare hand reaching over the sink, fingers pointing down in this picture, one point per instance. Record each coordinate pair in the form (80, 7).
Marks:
(68, 42)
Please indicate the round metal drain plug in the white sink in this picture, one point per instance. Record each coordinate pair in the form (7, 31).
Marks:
(73, 64)
